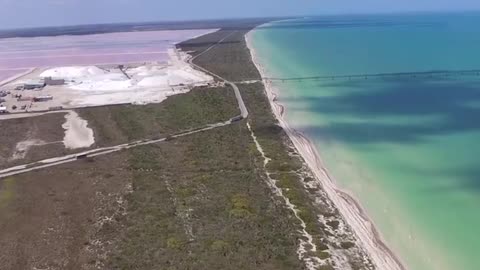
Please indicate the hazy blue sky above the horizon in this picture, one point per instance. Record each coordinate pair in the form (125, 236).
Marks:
(37, 13)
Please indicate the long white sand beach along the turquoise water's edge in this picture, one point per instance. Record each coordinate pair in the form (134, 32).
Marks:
(351, 210)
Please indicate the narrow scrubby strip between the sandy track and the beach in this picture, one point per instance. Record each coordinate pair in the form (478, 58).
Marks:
(287, 169)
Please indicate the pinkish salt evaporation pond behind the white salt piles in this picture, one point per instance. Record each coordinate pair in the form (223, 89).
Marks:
(111, 48)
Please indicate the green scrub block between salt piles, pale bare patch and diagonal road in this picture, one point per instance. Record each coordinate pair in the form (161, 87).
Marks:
(119, 124)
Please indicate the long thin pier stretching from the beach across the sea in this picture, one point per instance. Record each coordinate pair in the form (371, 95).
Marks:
(423, 74)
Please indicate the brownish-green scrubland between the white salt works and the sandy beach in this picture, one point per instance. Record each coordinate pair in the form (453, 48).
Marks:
(237, 196)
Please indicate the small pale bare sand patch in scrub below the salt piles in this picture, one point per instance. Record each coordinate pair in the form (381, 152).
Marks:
(77, 132)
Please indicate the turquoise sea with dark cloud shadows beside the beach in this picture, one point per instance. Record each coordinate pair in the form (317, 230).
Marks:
(406, 146)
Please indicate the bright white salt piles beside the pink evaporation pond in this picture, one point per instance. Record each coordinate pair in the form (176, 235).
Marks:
(148, 83)
